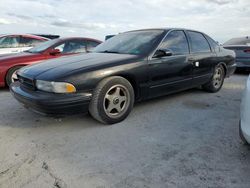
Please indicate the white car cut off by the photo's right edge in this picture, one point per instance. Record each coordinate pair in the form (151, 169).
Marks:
(245, 114)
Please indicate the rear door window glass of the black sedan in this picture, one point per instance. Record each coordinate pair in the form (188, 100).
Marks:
(198, 42)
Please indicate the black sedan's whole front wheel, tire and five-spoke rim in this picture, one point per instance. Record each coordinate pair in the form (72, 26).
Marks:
(98, 105)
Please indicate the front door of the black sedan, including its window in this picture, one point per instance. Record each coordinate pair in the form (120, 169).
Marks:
(171, 73)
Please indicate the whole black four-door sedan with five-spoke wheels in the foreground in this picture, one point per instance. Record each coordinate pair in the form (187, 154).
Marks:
(129, 67)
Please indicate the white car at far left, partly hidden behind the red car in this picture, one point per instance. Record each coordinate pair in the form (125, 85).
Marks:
(19, 43)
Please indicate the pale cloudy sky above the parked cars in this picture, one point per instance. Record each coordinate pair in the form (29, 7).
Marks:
(221, 19)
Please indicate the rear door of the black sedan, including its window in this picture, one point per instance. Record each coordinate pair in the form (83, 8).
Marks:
(202, 57)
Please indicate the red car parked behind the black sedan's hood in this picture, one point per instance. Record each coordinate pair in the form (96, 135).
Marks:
(9, 64)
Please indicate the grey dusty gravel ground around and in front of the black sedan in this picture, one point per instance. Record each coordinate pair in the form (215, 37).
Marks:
(189, 139)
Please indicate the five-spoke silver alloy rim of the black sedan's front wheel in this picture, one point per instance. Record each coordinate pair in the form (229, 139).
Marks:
(116, 101)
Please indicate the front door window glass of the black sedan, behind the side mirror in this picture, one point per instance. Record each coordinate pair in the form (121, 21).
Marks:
(176, 41)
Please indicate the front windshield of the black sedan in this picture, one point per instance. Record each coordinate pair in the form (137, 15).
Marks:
(135, 42)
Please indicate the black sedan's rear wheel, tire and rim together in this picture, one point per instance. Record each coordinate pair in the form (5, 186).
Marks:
(211, 85)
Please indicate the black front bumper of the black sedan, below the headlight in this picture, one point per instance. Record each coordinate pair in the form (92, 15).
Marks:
(51, 103)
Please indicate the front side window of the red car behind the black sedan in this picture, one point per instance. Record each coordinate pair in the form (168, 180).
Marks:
(72, 47)
